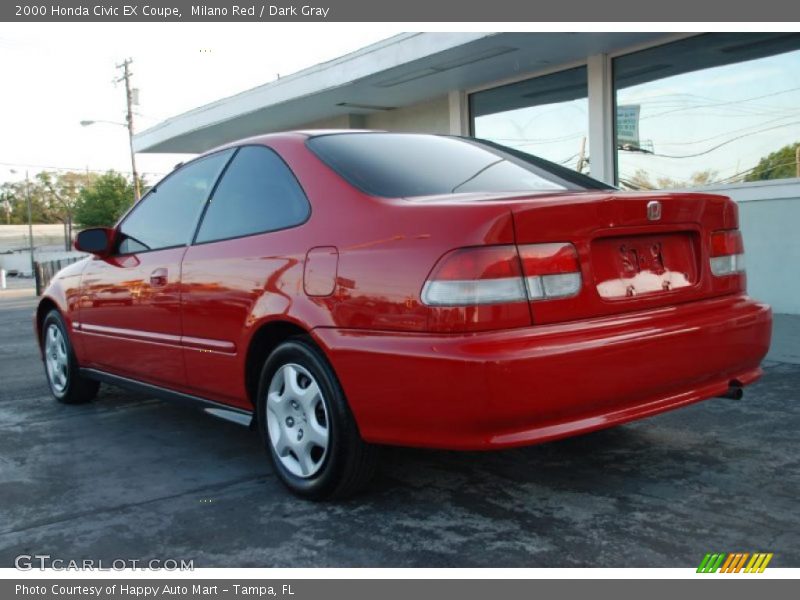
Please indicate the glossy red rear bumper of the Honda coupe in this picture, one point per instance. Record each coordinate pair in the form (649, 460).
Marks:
(525, 386)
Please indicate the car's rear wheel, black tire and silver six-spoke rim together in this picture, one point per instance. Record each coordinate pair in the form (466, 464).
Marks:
(307, 426)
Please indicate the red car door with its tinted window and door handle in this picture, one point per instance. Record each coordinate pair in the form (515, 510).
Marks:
(130, 316)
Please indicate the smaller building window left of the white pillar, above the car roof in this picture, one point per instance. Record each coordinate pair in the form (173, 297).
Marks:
(546, 116)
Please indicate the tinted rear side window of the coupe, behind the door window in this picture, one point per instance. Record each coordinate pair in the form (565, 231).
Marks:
(257, 193)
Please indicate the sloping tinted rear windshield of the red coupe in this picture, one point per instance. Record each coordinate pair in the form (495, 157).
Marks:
(399, 165)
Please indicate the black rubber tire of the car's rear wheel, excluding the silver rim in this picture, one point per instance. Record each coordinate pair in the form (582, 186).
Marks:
(348, 462)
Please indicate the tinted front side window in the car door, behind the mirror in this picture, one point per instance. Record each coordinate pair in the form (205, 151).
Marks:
(167, 216)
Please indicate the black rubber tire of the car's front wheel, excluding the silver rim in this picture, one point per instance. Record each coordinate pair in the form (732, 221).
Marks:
(70, 387)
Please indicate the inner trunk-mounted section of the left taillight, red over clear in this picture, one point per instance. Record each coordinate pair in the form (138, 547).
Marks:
(551, 270)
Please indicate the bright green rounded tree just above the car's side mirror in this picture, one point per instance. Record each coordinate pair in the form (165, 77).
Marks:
(103, 202)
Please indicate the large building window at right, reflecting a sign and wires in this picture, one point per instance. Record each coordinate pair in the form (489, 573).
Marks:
(711, 109)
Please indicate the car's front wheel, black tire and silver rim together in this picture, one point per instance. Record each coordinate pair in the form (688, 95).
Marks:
(63, 374)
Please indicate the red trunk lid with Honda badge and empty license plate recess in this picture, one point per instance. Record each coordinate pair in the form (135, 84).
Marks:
(637, 250)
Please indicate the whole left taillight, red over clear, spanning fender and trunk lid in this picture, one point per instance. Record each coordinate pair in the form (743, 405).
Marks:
(503, 274)
